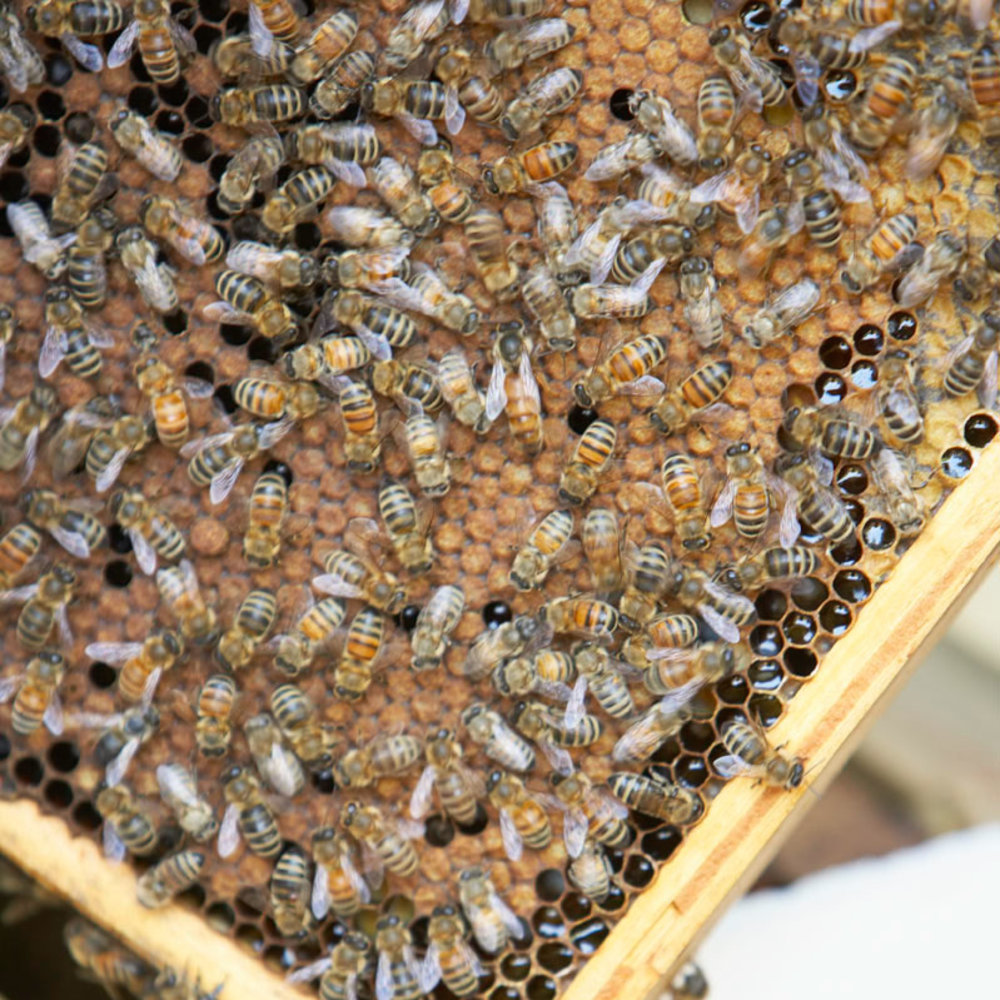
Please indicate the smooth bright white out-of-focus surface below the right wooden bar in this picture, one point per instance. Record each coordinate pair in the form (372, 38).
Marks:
(919, 924)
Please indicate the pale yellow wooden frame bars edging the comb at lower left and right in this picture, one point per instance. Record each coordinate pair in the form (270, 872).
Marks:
(719, 858)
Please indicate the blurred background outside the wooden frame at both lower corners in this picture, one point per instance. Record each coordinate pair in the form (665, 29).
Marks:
(889, 883)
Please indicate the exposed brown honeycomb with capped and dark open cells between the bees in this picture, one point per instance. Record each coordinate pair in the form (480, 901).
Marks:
(497, 490)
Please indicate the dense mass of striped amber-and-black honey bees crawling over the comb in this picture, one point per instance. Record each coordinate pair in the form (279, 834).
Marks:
(608, 674)
